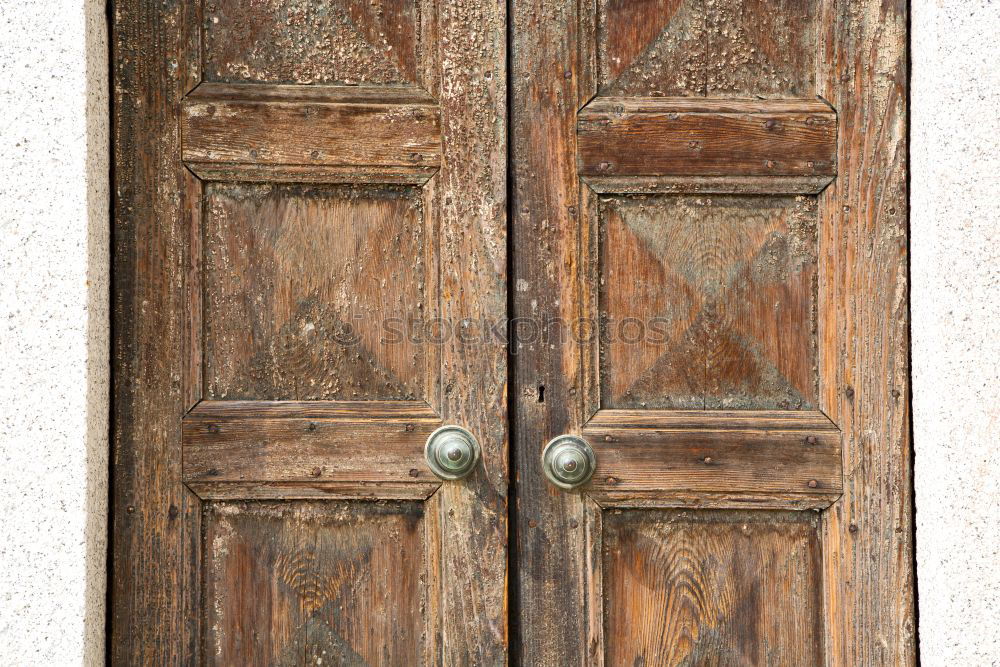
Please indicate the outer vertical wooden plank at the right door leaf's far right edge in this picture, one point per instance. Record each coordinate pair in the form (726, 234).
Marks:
(868, 535)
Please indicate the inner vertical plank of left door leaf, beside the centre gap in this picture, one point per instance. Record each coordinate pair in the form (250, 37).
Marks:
(473, 274)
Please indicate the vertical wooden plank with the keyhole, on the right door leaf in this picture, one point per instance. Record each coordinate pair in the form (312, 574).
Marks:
(551, 540)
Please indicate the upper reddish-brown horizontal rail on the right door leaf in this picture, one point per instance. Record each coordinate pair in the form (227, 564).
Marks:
(669, 136)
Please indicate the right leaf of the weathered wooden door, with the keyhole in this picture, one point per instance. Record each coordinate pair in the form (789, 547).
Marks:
(709, 231)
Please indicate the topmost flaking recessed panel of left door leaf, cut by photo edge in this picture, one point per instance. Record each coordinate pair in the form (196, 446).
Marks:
(312, 41)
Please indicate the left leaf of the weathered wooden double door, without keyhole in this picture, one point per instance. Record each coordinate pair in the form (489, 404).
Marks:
(306, 189)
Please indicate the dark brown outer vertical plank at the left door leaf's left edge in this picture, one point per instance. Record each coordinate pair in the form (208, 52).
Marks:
(151, 65)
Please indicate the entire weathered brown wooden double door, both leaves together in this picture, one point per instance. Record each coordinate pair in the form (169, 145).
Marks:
(673, 229)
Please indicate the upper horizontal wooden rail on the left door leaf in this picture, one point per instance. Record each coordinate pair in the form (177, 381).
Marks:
(326, 127)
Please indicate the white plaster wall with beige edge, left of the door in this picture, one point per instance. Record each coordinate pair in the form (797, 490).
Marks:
(53, 330)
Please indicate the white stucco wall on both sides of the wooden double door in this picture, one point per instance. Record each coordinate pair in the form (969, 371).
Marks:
(53, 329)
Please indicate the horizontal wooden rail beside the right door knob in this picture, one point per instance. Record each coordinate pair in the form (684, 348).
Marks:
(737, 459)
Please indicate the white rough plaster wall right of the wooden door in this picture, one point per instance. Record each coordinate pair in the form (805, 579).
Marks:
(955, 241)
